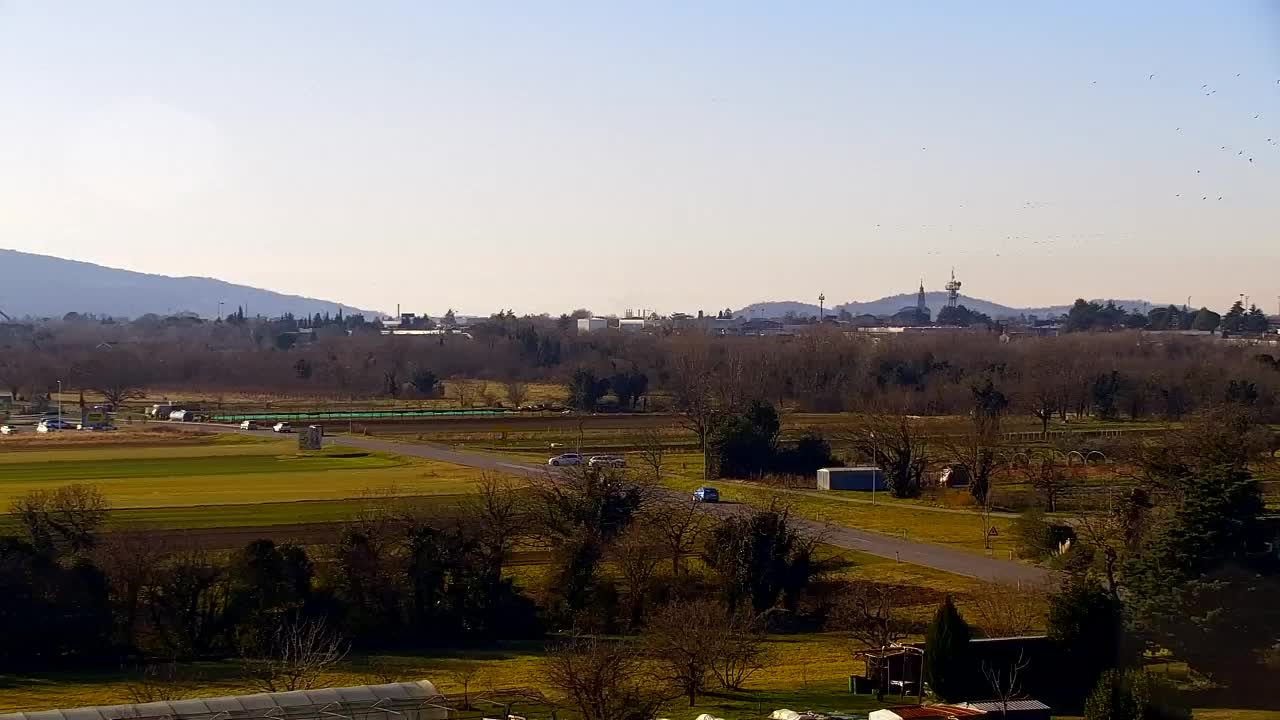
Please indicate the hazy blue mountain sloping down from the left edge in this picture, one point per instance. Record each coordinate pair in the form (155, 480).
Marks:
(42, 286)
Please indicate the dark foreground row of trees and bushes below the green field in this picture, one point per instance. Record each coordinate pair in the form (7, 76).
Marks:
(623, 559)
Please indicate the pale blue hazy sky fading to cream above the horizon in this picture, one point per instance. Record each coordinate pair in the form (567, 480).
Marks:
(665, 156)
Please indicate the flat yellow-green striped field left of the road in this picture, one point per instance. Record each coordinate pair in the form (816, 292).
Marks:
(228, 485)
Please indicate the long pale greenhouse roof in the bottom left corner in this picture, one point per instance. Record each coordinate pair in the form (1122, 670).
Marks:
(396, 701)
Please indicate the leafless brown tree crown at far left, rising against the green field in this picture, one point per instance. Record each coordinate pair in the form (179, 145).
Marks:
(70, 514)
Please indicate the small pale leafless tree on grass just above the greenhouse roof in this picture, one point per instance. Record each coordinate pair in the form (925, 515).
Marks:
(296, 658)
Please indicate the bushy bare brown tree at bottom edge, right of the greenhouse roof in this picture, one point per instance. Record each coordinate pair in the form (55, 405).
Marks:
(605, 681)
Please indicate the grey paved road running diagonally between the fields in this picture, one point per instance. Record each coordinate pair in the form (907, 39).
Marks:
(959, 562)
